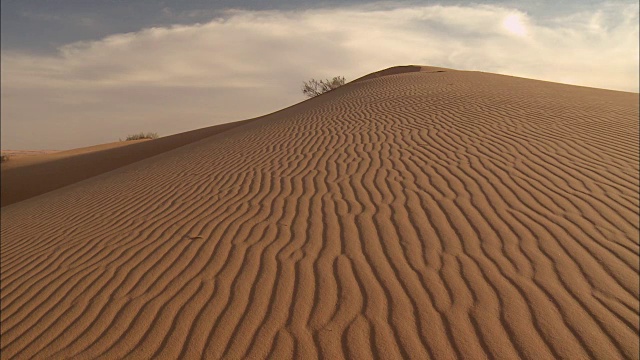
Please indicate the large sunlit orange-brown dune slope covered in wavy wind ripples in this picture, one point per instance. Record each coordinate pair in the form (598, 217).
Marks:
(414, 214)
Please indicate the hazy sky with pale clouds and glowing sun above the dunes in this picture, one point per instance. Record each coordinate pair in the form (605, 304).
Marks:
(84, 72)
